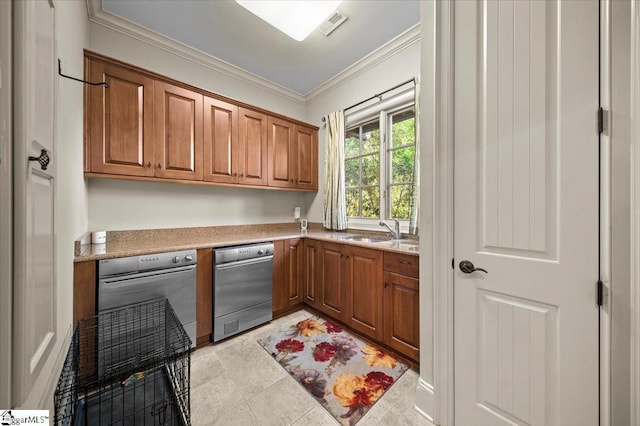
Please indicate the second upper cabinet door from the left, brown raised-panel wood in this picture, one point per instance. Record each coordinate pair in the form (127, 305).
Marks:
(179, 132)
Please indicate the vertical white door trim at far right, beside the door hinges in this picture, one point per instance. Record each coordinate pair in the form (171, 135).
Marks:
(621, 157)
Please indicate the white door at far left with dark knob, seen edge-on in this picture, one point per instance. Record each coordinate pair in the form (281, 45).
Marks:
(34, 292)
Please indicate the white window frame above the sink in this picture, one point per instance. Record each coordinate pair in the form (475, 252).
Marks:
(384, 117)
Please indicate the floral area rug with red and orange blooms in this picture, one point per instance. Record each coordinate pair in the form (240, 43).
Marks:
(344, 374)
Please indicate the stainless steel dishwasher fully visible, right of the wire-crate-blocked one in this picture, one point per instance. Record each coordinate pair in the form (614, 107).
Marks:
(242, 284)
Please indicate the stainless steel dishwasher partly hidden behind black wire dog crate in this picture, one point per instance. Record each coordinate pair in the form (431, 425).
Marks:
(128, 280)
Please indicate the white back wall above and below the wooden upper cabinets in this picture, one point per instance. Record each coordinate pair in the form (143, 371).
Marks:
(118, 204)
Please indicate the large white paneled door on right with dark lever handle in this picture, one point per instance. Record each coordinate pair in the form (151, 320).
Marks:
(526, 210)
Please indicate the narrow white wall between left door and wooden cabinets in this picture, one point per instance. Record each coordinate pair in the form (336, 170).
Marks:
(71, 196)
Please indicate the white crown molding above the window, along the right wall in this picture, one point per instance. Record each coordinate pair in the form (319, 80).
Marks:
(394, 46)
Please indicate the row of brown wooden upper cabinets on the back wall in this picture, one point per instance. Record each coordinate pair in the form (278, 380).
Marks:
(146, 126)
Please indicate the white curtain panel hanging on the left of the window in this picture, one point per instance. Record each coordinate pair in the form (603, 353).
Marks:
(335, 204)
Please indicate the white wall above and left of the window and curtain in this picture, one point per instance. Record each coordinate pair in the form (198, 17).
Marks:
(400, 66)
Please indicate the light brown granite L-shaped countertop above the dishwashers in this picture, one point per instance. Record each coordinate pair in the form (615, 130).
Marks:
(141, 242)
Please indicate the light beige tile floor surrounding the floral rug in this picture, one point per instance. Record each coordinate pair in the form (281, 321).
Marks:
(236, 382)
